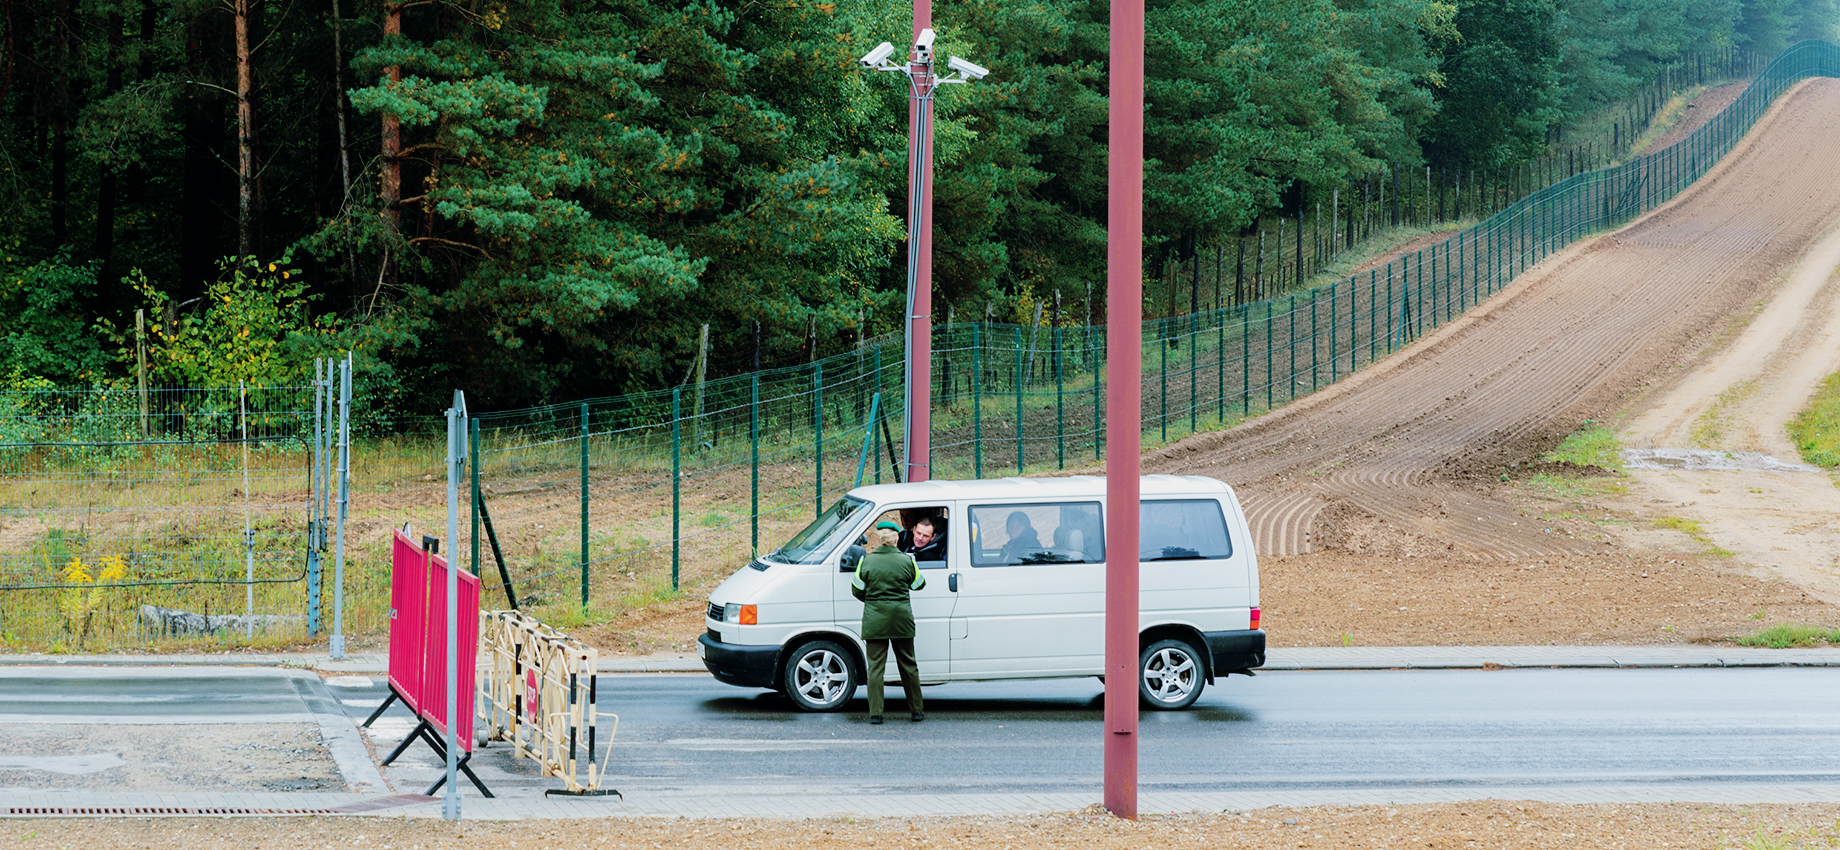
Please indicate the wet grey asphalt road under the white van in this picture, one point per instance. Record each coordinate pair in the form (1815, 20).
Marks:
(1278, 731)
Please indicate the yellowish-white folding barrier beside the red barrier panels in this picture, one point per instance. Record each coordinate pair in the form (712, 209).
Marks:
(540, 695)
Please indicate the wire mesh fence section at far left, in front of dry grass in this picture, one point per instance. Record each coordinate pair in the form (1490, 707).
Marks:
(133, 516)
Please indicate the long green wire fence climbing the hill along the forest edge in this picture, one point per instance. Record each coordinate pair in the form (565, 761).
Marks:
(628, 498)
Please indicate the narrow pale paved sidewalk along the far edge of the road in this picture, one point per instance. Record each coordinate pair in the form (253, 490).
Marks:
(1300, 658)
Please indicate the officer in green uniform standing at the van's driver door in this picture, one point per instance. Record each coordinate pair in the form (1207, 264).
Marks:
(884, 582)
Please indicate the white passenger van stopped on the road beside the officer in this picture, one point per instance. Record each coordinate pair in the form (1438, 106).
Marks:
(1015, 593)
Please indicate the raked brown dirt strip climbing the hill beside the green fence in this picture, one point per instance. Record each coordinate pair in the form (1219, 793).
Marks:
(1418, 442)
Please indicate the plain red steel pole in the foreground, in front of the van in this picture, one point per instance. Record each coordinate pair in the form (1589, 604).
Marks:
(1125, 225)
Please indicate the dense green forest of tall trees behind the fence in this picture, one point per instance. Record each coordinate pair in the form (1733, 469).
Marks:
(549, 200)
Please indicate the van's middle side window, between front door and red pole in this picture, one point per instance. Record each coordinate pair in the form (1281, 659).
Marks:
(1020, 534)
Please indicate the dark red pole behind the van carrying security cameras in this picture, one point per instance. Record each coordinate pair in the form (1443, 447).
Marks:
(921, 238)
